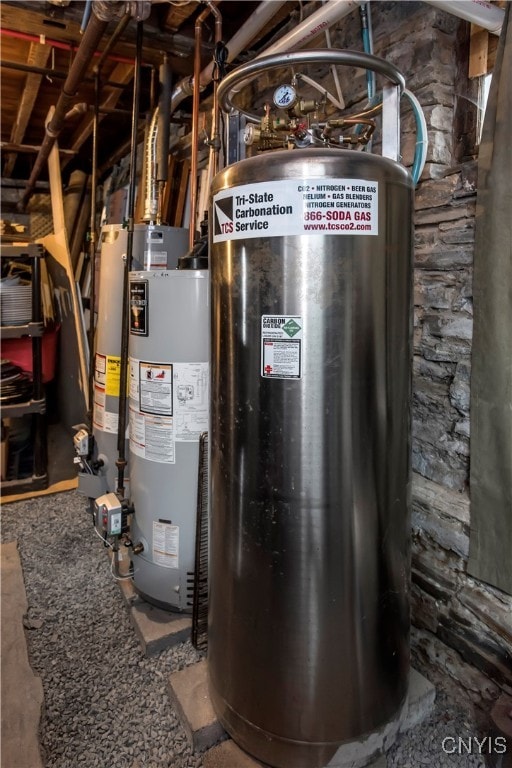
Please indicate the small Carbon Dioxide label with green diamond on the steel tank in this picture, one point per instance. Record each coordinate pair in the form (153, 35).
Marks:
(281, 346)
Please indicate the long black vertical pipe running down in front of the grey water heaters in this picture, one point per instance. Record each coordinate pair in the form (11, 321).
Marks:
(125, 326)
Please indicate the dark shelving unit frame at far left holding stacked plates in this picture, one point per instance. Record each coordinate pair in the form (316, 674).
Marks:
(36, 405)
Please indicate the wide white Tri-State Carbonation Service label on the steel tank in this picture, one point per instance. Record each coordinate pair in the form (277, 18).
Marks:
(310, 206)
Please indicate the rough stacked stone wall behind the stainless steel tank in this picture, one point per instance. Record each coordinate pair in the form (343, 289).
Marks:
(462, 628)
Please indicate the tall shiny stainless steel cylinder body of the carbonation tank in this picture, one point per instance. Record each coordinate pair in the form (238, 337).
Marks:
(310, 452)
